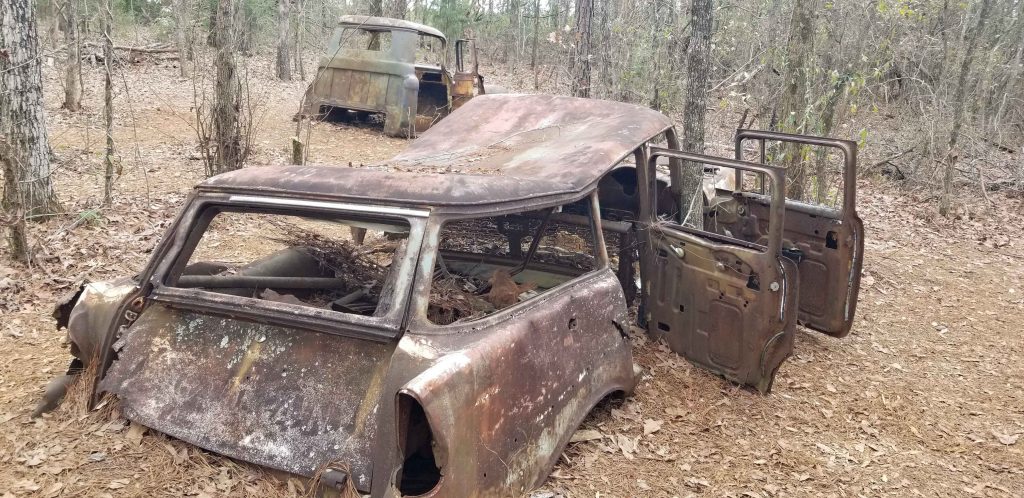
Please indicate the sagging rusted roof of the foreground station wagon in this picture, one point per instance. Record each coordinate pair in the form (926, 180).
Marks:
(495, 150)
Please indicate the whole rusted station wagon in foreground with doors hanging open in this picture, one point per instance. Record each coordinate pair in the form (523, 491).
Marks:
(455, 349)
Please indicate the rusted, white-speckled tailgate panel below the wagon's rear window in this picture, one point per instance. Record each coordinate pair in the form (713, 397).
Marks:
(283, 398)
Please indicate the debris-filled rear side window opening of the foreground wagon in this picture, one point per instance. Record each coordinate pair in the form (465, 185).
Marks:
(490, 264)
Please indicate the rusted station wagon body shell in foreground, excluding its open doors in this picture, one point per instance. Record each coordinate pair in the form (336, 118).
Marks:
(503, 395)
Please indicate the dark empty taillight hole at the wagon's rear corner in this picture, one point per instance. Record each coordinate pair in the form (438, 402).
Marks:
(419, 472)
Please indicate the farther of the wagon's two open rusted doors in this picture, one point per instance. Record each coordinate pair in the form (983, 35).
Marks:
(827, 243)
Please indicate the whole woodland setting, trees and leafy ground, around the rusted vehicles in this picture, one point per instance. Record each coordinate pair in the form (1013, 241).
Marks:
(112, 110)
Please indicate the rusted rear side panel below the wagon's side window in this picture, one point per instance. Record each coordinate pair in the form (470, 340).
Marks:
(504, 396)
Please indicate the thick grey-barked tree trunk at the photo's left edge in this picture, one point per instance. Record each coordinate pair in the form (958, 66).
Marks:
(22, 118)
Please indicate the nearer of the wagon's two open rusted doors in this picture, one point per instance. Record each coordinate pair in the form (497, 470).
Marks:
(724, 304)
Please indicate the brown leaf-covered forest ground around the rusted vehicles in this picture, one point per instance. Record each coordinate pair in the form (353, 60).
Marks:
(923, 399)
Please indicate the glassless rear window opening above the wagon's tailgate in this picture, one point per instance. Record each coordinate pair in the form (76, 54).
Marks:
(349, 266)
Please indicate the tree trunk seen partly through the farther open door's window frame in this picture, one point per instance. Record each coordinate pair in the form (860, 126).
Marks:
(795, 103)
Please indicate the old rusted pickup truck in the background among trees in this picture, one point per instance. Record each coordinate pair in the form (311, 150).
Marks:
(396, 68)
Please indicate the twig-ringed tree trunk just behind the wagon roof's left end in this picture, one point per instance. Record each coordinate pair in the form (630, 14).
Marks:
(227, 130)
